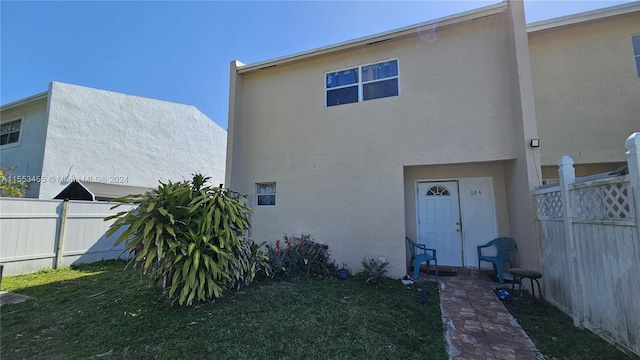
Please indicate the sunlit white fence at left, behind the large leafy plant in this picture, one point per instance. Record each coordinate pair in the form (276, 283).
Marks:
(40, 234)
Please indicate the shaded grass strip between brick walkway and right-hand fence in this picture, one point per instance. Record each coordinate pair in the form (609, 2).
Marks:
(556, 337)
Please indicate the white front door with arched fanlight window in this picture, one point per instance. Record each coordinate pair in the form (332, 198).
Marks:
(439, 220)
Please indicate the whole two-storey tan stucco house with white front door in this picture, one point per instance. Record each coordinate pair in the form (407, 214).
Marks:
(422, 131)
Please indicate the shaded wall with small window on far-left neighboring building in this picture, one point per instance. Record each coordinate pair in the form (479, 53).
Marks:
(25, 157)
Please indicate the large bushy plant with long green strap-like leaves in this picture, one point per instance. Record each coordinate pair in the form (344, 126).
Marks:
(191, 238)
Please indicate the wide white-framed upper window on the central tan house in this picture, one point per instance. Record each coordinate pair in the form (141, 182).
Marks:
(366, 82)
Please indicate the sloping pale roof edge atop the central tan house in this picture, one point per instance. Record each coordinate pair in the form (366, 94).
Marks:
(388, 35)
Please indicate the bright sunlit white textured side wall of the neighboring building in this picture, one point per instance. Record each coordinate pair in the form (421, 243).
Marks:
(118, 138)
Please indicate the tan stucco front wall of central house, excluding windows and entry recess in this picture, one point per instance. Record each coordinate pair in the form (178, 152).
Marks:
(339, 170)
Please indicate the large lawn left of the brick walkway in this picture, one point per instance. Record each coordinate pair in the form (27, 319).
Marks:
(99, 310)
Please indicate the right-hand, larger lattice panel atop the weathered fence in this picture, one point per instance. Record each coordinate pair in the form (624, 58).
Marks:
(604, 202)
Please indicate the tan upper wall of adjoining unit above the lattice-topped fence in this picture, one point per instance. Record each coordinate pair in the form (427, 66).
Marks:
(587, 91)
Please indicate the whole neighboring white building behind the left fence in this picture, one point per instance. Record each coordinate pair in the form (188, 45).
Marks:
(94, 135)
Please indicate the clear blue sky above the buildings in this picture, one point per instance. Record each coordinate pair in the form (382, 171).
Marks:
(180, 51)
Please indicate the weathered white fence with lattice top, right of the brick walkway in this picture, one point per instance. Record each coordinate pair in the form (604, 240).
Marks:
(590, 241)
